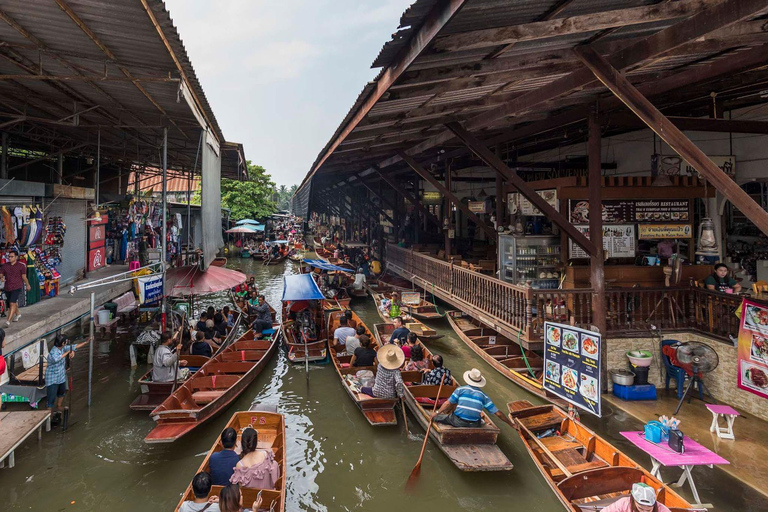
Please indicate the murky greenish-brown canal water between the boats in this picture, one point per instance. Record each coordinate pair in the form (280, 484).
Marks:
(336, 461)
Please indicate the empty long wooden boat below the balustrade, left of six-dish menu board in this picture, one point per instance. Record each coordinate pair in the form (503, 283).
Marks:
(503, 354)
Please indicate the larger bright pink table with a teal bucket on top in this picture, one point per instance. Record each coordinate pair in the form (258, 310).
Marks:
(662, 455)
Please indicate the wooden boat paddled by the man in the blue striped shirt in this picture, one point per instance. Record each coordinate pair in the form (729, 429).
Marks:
(469, 448)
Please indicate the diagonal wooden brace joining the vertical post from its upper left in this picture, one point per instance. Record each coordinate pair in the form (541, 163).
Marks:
(479, 149)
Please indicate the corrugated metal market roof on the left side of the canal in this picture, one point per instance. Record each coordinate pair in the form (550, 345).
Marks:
(73, 71)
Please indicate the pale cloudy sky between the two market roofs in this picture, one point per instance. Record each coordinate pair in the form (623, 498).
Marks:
(280, 75)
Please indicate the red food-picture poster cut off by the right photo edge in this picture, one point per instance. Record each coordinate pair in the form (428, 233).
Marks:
(752, 352)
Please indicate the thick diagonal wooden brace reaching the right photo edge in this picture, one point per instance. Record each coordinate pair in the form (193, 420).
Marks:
(664, 128)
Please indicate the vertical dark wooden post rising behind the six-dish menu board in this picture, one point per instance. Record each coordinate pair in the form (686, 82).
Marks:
(597, 273)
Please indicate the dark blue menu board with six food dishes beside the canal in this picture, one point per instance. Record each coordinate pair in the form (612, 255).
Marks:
(572, 365)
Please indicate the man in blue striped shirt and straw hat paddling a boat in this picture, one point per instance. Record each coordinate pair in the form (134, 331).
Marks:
(465, 405)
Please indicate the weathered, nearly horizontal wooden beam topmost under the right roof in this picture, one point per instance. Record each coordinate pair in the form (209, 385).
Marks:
(584, 23)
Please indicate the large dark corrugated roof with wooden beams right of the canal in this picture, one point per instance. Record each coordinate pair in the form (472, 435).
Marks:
(513, 79)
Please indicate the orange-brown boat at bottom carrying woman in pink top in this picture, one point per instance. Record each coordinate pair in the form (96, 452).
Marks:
(271, 428)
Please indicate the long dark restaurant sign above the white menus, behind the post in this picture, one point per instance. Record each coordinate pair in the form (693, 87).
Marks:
(624, 211)
